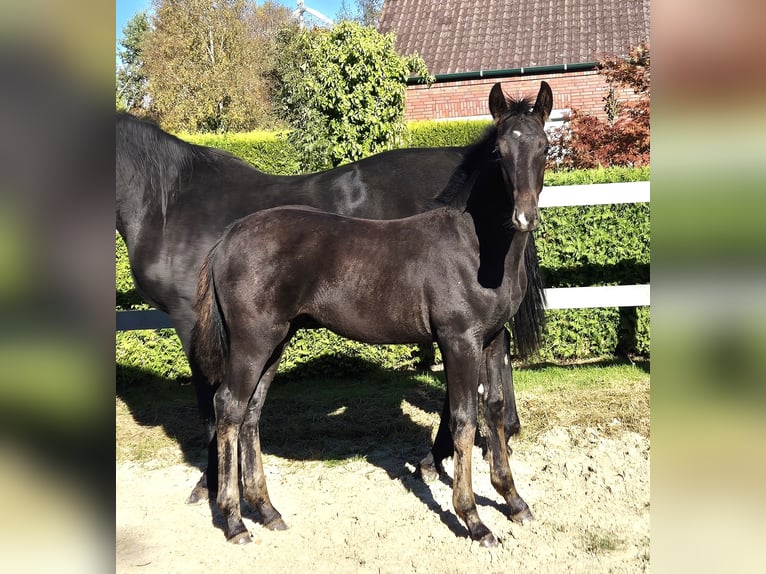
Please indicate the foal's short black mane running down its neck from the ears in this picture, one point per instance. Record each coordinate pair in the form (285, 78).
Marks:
(476, 158)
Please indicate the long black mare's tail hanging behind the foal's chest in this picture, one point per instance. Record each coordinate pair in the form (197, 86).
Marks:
(527, 325)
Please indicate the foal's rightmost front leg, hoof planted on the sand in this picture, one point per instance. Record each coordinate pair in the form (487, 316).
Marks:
(494, 408)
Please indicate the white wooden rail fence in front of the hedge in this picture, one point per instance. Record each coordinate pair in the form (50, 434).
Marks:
(557, 298)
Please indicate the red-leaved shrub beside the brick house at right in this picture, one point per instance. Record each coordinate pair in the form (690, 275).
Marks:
(624, 137)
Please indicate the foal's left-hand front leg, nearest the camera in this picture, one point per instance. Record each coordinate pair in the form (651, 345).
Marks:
(462, 361)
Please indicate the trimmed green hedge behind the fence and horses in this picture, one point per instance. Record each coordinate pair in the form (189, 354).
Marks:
(578, 246)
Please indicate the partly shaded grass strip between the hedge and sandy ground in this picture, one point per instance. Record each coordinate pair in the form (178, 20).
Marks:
(334, 420)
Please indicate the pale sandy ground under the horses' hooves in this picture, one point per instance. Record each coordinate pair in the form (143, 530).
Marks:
(589, 494)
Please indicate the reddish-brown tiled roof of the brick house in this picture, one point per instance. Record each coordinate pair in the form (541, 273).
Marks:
(466, 36)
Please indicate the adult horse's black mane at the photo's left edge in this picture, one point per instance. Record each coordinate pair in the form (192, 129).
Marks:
(158, 159)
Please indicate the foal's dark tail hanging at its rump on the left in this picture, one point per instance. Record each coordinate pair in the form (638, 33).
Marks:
(210, 338)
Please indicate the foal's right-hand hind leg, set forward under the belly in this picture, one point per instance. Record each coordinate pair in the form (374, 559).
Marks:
(253, 477)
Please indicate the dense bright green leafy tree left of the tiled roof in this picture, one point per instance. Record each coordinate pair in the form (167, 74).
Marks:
(342, 91)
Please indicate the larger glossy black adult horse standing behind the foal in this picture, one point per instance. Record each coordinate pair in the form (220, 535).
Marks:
(175, 199)
